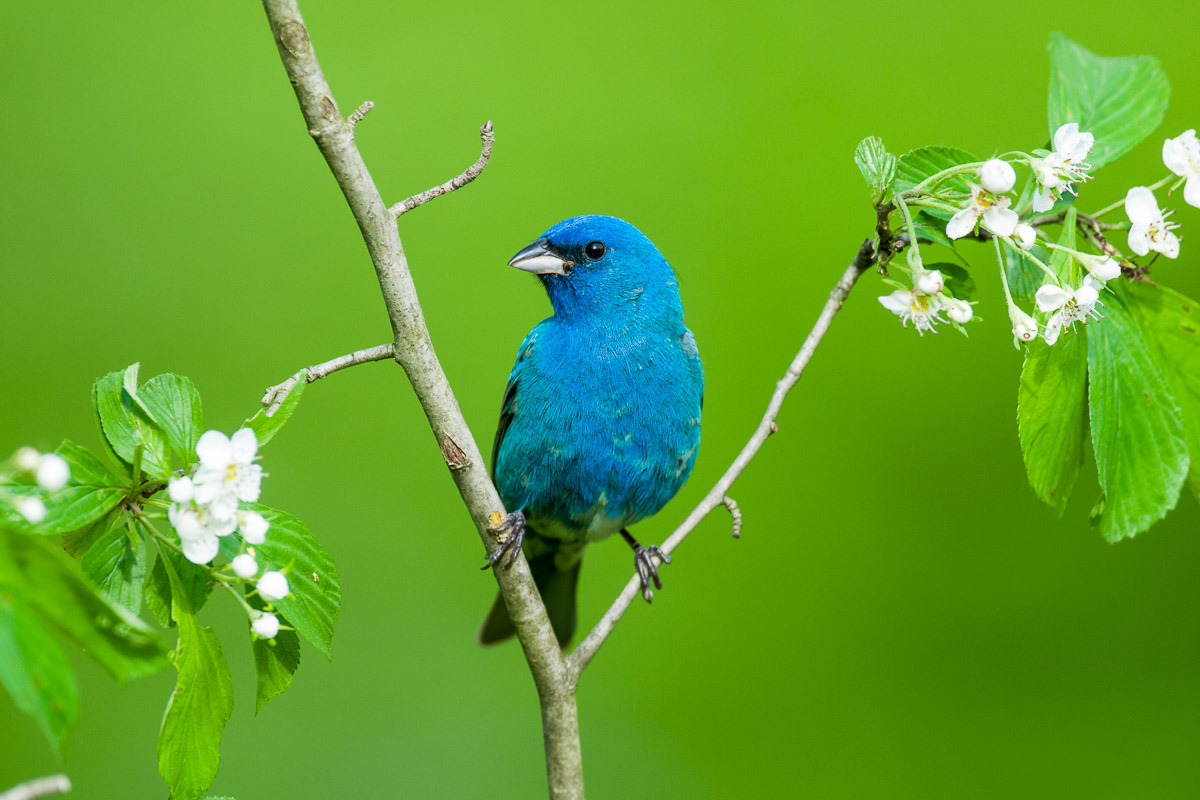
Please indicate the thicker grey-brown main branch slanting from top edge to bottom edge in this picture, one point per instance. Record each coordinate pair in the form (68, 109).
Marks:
(415, 352)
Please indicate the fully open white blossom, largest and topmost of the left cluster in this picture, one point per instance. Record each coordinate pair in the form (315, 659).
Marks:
(227, 472)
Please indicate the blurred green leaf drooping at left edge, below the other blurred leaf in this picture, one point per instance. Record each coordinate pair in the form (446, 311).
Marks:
(35, 671)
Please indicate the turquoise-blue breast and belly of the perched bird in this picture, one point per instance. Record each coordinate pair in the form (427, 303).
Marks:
(603, 424)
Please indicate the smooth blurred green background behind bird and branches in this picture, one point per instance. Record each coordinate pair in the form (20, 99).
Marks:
(901, 618)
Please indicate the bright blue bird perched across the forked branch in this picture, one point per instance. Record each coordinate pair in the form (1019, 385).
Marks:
(601, 420)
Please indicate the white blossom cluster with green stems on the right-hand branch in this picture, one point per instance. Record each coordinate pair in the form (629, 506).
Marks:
(989, 209)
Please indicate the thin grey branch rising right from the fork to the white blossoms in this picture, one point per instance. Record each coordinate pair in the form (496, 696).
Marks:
(717, 497)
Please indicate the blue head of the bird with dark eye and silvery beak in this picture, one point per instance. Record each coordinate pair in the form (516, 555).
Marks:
(598, 267)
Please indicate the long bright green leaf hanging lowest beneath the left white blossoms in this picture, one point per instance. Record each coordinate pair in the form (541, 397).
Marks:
(200, 708)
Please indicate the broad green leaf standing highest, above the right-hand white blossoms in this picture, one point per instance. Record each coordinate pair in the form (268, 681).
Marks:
(1118, 100)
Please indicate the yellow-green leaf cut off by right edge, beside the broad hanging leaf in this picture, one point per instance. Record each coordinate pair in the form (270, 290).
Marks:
(1173, 323)
